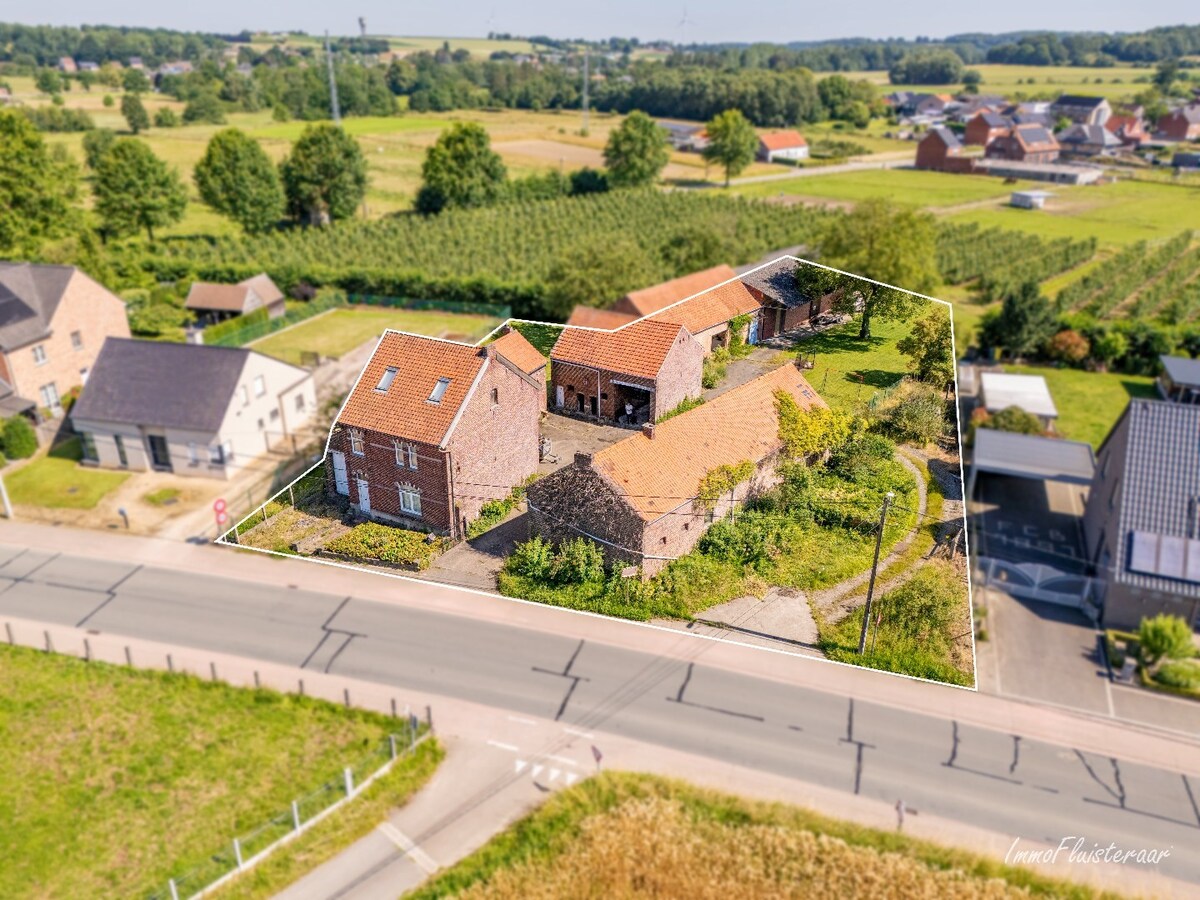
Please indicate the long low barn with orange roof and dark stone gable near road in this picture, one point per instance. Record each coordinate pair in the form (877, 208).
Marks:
(640, 499)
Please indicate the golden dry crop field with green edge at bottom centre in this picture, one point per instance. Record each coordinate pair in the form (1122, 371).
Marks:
(627, 836)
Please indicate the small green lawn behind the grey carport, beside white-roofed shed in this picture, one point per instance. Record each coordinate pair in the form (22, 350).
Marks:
(1089, 403)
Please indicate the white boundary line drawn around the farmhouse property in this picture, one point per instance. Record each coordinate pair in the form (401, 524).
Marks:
(975, 663)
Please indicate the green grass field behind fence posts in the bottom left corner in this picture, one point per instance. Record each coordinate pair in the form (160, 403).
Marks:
(117, 779)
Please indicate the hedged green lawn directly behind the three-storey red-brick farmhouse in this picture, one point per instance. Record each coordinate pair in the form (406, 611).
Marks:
(341, 331)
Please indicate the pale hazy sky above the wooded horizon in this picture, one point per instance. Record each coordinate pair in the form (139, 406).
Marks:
(707, 21)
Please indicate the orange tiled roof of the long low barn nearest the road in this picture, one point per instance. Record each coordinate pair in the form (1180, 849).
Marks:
(661, 475)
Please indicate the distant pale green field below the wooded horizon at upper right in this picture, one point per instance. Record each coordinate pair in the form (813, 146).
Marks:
(1036, 81)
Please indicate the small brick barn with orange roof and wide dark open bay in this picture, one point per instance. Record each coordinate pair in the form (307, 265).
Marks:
(629, 376)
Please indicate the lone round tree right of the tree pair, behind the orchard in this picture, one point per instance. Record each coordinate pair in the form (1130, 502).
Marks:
(461, 171)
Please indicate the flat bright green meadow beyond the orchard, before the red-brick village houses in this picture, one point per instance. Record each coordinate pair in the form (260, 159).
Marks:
(911, 187)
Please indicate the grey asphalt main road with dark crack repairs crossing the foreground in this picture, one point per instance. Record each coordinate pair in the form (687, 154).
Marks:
(985, 778)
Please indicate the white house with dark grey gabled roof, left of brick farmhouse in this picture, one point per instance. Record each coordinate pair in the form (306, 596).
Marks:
(190, 410)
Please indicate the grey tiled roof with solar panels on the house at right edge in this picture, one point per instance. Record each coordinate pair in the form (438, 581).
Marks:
(1162, 484)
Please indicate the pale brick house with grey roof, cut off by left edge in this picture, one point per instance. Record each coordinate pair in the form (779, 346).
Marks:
(53, 322)
